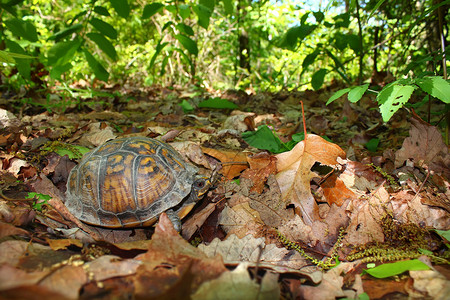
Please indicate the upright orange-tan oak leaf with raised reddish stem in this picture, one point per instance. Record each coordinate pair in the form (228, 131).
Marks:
(294, 173)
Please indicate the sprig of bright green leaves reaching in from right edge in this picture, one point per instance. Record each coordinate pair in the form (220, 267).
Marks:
(396, 94)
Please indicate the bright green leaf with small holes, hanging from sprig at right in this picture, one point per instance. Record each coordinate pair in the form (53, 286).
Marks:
(393, 98)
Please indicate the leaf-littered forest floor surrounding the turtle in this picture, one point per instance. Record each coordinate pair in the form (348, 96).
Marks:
(307, 220)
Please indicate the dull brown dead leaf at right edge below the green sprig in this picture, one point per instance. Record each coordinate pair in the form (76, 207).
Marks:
(426, 147)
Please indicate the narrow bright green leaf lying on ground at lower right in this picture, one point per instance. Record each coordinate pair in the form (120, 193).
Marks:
(392, 269)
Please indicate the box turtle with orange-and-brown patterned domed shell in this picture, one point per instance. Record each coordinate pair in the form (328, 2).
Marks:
(129, 182)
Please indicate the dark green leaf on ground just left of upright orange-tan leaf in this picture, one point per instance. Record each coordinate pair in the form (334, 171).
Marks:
(263, 138)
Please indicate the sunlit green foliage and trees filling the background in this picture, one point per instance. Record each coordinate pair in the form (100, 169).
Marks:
(290, 44)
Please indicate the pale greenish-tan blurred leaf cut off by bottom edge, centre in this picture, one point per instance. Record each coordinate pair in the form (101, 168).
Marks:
(238, 285)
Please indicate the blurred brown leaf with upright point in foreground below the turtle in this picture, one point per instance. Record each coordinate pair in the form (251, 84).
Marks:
(172, 268)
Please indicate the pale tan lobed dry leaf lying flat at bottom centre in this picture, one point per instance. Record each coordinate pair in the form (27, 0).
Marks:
(255, 252)
